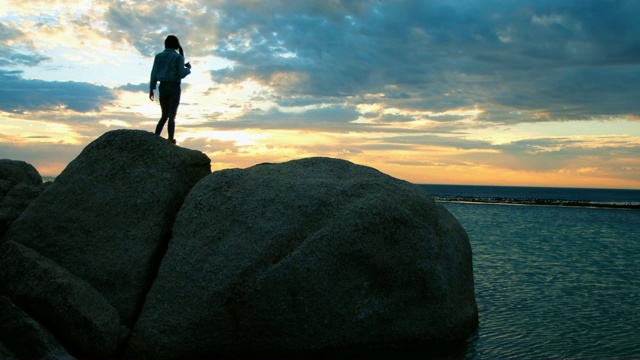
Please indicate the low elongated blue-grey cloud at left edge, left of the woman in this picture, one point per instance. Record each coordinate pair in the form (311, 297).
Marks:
(18, 94)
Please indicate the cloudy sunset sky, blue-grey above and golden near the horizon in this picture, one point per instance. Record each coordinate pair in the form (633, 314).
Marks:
(484, 92)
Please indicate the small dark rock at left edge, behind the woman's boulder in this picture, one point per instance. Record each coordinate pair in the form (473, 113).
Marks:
(20, 183)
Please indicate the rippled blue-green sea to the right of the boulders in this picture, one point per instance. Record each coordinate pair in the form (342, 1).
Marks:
(556, 270)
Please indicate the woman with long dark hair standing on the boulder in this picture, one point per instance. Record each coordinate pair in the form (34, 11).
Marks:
(169, 68)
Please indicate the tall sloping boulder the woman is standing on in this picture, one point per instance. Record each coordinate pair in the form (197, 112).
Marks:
(107, 218)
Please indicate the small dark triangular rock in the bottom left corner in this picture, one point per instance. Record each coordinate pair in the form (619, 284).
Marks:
(25, 337)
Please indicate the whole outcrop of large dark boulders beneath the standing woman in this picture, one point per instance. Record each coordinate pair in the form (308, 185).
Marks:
(137, 250)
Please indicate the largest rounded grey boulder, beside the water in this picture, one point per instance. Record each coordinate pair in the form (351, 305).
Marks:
(305, 257)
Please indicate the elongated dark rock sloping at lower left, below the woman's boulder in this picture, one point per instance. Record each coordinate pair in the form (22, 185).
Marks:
(71, 308)
